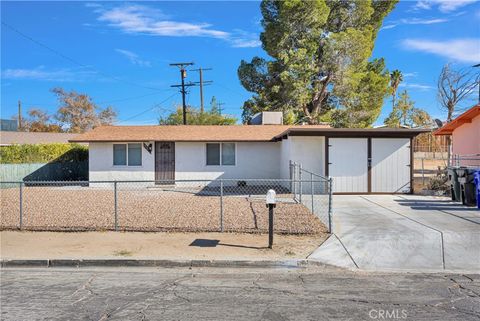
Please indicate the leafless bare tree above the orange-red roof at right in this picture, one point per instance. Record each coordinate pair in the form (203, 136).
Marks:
(454, 86)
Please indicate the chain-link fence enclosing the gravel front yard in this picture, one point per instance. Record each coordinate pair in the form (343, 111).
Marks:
(233, 205)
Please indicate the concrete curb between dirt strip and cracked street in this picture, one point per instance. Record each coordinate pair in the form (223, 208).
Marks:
(45, 263)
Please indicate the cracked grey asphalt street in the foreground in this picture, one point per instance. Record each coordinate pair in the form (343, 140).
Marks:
(234, 294)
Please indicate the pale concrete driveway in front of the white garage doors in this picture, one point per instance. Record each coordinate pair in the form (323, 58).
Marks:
(402, 232)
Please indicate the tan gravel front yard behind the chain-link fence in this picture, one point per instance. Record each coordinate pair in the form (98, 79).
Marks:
(78, 208)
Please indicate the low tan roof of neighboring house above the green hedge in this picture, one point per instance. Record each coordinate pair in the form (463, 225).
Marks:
(8, 138)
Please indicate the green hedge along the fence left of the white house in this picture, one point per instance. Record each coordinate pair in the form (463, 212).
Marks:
(43, 153)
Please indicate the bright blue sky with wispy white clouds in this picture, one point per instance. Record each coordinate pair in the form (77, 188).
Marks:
(119, 52)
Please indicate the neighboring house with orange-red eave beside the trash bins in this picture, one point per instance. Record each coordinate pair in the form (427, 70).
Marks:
(465, 133)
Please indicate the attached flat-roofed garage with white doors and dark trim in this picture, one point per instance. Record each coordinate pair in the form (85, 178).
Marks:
(360, 160)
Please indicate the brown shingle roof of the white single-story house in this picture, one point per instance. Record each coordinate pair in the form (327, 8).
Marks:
(187, 133)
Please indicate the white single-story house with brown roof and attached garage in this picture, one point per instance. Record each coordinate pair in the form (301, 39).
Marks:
(359, 160)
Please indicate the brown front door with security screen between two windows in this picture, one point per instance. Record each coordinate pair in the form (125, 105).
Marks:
(165, 162)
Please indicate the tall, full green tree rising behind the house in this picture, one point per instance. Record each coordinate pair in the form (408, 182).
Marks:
(319, 68)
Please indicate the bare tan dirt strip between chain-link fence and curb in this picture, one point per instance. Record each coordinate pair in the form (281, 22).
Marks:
(17, 245)
